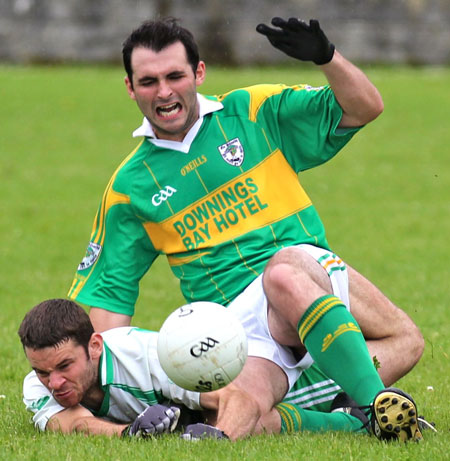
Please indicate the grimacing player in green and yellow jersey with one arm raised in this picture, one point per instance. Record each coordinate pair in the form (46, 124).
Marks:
(213, 186)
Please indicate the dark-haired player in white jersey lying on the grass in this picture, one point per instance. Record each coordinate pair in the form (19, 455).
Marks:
(112, 384)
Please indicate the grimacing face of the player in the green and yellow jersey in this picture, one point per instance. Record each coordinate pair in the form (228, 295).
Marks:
(164, 87)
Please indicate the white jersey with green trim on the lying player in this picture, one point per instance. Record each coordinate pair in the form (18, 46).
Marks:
(130, 375)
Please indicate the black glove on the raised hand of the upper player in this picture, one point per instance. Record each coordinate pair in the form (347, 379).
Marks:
(299, 40)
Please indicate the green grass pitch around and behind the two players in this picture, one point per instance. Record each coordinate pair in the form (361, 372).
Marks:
(385, 201)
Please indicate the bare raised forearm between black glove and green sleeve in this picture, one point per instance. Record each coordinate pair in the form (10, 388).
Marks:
(360, 100)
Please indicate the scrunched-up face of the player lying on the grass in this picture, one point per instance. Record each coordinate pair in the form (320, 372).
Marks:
(66, 371)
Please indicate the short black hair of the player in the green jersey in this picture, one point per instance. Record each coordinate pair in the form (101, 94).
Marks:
(157, 35)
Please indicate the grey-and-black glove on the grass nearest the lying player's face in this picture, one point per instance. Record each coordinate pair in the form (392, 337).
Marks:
(156, 419)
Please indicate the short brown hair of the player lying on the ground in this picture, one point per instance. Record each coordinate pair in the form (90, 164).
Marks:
(53, 322)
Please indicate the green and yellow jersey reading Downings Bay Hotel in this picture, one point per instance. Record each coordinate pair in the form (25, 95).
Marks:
(218, 208)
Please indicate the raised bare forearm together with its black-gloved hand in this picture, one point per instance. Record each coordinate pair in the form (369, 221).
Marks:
(358, 97)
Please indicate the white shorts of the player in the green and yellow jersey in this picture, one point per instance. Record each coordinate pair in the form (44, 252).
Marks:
(251, 309)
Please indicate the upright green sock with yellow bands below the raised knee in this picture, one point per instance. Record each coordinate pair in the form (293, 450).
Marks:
(335, 342)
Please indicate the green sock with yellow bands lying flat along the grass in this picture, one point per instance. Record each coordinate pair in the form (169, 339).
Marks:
(296, 419)
